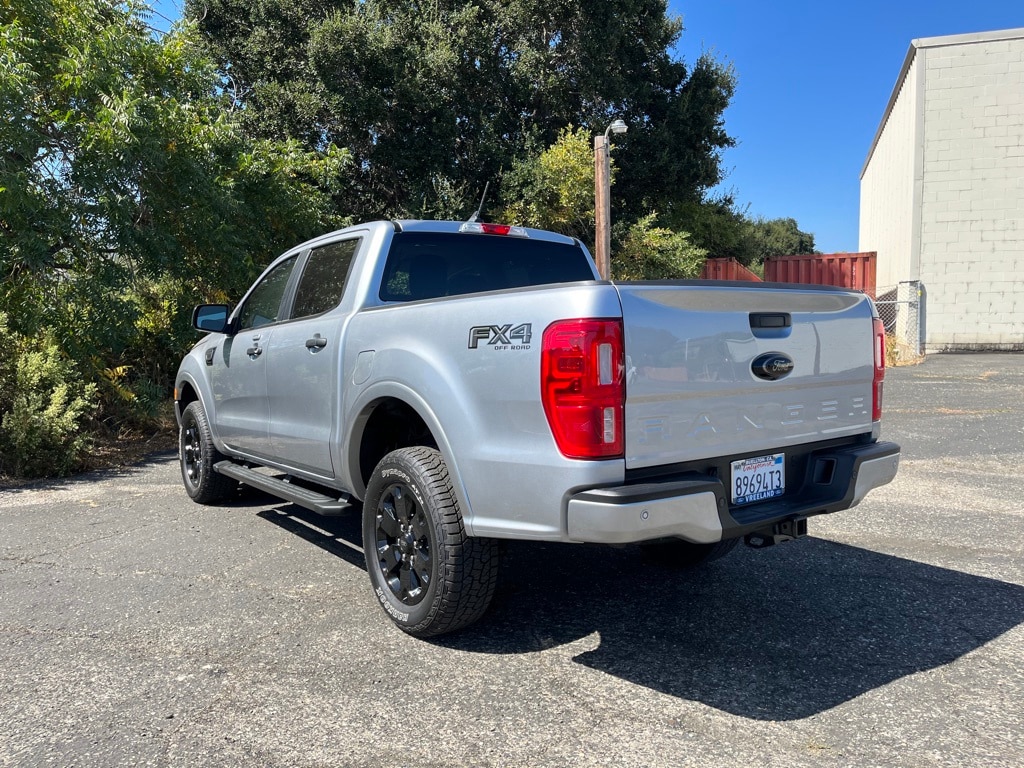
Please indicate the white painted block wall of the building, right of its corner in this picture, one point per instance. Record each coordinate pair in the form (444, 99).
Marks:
(972, 237)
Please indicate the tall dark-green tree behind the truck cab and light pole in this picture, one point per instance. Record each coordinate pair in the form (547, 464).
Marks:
(445, 97)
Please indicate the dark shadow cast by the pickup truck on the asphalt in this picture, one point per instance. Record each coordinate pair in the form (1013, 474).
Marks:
(781, 634)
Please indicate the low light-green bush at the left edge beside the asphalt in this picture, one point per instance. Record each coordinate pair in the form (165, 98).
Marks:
(44, 410)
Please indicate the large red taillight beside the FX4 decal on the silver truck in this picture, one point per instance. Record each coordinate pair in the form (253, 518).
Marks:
(583, 388)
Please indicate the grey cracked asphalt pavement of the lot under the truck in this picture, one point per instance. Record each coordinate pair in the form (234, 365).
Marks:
(139, 629)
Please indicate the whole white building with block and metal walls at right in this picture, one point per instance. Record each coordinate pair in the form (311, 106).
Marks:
(943, 192)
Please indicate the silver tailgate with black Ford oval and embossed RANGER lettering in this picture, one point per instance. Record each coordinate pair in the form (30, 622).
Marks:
(692, 351)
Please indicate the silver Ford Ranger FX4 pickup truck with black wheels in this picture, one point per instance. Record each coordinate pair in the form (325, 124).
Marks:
(465, 383)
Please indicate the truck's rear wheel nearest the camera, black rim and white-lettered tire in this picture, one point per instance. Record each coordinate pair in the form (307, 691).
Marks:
(430, 577)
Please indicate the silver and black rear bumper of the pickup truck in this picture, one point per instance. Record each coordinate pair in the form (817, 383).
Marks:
(696, 507)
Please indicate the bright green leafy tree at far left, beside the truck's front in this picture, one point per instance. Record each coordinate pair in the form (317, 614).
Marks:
(129, 193)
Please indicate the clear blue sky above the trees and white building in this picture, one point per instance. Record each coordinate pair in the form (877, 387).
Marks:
(814, 79)
